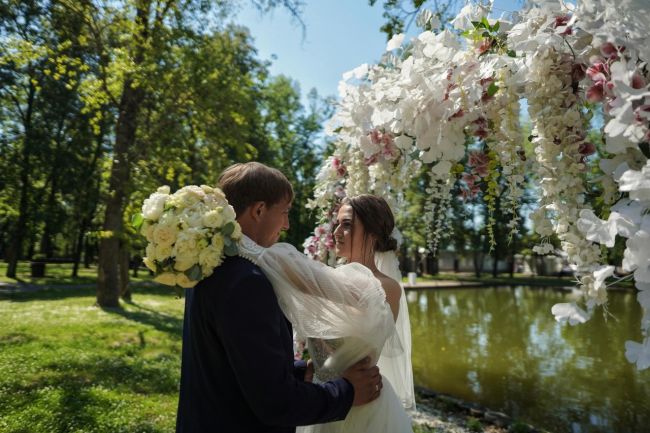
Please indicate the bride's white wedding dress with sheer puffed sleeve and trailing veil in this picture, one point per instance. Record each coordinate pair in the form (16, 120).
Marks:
(343, 314)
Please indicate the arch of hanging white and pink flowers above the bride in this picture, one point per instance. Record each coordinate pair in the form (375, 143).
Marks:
(426, 100)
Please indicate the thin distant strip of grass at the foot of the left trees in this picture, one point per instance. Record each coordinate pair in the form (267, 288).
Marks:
(59, 273)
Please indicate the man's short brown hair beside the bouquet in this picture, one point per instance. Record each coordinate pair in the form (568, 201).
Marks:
(250, 182)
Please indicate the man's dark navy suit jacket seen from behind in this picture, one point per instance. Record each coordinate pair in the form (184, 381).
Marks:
(238, 373)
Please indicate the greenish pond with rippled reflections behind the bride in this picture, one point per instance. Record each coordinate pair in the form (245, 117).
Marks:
(502, 348)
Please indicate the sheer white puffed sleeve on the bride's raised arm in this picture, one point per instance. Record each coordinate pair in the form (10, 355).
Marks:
(329, 303)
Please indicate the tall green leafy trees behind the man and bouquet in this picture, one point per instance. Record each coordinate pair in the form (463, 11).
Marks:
(203, 100)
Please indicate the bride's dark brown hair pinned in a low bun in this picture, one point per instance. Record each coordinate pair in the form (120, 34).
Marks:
(377, 219)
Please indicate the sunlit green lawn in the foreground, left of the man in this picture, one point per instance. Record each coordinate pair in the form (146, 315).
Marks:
(68, 366)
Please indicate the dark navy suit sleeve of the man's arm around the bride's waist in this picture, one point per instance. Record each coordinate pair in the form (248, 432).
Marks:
(249, 325)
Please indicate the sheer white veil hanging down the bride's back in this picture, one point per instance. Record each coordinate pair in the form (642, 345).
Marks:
(397, 368)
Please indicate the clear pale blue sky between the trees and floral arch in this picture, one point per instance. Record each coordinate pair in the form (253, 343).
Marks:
(339, 36)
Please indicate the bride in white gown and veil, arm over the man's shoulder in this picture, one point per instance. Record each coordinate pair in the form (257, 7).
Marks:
(350, 312)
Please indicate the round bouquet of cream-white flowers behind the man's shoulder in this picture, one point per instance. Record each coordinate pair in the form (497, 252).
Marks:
(189, 233)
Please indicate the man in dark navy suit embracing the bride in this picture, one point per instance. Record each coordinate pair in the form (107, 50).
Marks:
(238, 373)
